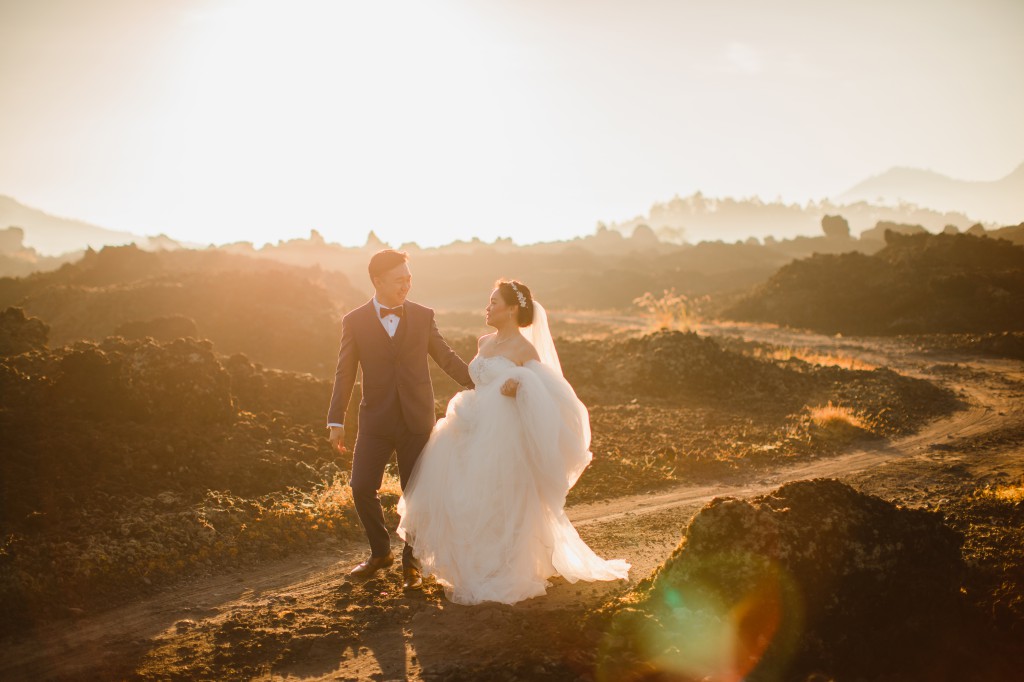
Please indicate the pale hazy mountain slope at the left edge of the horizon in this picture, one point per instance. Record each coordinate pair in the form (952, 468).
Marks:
(52, 236)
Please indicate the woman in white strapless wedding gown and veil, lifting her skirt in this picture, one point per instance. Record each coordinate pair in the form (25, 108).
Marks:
(484, 509)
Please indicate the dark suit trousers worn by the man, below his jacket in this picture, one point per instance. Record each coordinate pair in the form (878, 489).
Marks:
(372, 453)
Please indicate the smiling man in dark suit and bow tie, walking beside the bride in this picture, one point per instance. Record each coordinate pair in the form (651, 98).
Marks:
(391, 338)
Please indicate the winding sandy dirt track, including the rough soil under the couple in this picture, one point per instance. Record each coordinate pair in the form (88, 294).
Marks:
(225, 628)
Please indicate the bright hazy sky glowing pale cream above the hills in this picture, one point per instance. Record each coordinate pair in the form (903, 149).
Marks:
(429, 121)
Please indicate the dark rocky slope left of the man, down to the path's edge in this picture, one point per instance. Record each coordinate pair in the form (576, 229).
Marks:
(132, 463)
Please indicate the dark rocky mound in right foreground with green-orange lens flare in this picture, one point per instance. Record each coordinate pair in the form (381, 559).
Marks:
(815, 579)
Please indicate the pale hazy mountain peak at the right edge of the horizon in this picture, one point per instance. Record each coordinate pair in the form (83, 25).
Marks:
(998, 201)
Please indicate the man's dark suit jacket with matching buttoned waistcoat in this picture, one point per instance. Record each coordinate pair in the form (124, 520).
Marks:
(396, 376)
